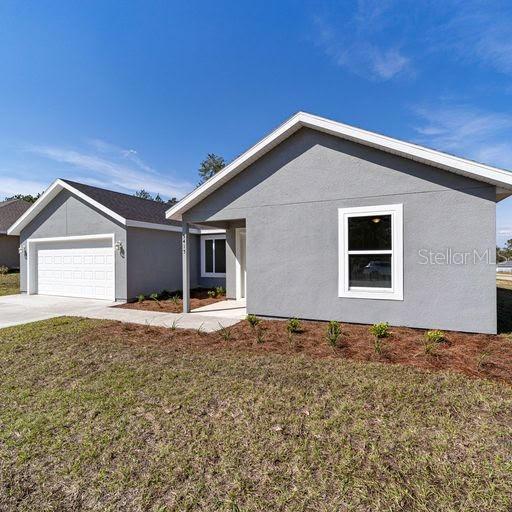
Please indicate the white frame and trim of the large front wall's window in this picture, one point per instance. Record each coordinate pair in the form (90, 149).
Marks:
(396, 292)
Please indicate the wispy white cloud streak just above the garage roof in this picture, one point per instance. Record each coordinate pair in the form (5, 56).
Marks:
(114, 167)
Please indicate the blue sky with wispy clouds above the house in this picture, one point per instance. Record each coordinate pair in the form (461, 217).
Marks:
(130, 95)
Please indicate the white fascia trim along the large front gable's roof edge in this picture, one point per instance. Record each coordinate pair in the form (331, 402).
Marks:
(501, 178)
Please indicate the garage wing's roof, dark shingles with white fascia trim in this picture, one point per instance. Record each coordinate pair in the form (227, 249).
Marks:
(124, 208)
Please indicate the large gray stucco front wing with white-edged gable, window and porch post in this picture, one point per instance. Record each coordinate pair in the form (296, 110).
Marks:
(330, 222)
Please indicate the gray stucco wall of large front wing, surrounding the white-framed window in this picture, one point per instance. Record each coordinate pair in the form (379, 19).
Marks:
(290, 199)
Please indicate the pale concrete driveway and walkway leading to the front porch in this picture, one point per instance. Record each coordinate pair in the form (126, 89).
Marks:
(21, 309)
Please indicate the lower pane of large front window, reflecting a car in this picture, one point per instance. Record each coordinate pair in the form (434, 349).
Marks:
(370, 271)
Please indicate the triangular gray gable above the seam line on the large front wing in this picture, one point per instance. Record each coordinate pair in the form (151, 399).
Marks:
(312, 166)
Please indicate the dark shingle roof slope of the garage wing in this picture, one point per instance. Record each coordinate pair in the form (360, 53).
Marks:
(129, 207)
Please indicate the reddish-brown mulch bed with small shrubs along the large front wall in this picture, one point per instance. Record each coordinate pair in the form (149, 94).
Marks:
(475, 355)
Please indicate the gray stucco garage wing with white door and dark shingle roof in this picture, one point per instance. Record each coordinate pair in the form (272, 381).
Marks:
(83, 241)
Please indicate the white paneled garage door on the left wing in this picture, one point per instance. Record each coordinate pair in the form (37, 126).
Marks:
(82, 268)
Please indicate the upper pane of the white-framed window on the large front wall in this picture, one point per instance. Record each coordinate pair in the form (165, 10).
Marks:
(371, 233)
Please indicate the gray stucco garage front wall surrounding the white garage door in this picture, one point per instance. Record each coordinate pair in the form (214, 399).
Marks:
(67, 215)
